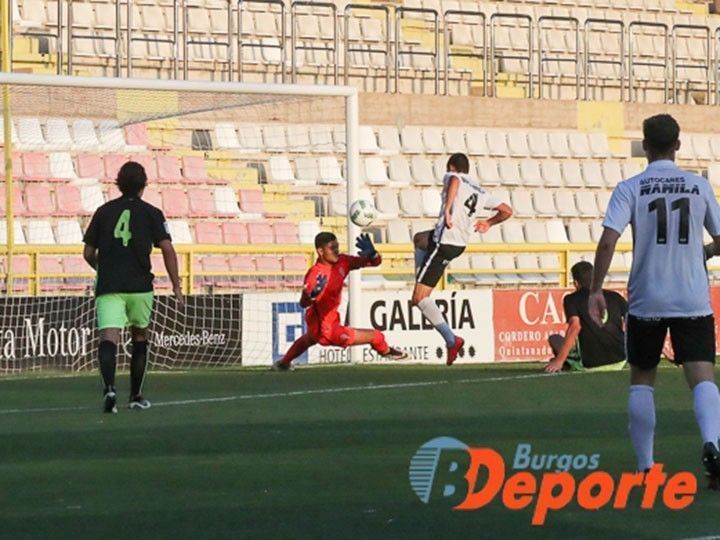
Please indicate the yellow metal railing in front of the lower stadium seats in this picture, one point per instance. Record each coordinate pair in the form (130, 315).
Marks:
(392, 253)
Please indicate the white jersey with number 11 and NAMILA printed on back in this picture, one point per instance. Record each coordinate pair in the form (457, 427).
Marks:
(667, 208)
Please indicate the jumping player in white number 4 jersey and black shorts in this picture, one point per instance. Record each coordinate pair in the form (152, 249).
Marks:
(462, 198)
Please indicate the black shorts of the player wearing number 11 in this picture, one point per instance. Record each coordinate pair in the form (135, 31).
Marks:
(693, 339)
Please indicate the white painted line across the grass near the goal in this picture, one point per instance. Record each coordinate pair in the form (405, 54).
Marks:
(316, 391)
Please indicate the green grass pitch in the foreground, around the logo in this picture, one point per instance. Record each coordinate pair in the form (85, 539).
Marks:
(320, 453)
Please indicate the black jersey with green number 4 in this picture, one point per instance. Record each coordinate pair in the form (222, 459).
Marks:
(124, 231)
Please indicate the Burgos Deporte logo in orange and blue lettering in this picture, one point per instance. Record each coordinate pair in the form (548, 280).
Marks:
(448, 471)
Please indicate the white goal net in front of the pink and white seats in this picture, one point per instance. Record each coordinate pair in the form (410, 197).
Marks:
(245, 174)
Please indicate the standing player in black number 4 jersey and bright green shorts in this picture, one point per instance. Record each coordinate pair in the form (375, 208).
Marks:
(118, 243)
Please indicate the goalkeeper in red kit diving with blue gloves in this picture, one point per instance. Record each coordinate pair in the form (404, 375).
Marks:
(321, 297)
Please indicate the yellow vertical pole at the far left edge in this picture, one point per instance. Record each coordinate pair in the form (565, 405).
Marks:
(7, 147)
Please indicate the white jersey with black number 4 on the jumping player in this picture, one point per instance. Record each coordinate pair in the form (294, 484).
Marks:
(469, 200)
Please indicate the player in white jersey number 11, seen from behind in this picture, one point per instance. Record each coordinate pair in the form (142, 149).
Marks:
(668, 287)
